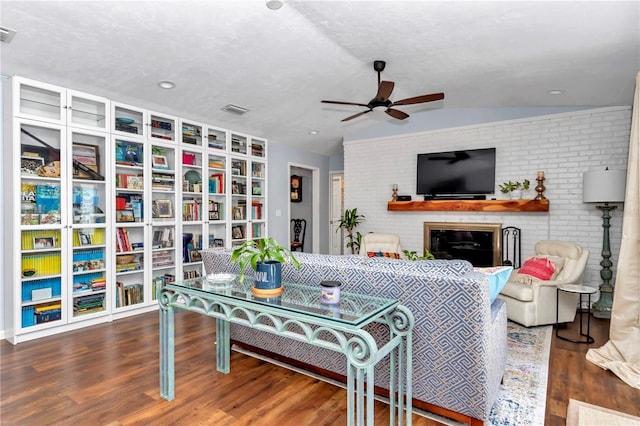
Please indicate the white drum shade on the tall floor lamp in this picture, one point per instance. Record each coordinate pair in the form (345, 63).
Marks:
(604, 186)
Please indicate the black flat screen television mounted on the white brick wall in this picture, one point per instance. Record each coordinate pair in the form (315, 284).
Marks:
(456, 173)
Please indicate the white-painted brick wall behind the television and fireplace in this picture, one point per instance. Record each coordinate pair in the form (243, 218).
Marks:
(563, 145)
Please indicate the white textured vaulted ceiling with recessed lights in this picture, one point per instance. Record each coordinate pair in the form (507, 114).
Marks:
(280, 63)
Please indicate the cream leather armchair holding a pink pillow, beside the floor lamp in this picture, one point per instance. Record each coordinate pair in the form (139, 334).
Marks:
(532, 301)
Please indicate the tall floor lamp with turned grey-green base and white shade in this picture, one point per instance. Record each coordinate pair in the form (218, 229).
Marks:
(605, 186)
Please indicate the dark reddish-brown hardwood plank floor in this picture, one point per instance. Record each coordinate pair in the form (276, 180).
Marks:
(108, 375)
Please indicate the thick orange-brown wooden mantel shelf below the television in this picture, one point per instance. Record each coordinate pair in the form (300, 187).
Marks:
(470, 205)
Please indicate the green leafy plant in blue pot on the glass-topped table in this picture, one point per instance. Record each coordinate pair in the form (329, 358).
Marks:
(266, 257)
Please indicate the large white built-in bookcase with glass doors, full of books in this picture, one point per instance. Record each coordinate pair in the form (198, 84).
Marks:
(107, 201)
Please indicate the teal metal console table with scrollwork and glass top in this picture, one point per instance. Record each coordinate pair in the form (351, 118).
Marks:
(300, 316)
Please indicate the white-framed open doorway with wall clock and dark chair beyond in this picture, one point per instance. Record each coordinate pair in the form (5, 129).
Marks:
(306, 205)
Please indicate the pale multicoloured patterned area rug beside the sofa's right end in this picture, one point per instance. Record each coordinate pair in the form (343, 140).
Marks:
(523, 393)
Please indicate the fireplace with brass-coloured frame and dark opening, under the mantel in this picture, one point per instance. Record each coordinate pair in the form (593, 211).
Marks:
(479, 243)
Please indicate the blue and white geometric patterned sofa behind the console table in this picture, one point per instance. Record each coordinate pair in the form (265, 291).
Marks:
(459, 338)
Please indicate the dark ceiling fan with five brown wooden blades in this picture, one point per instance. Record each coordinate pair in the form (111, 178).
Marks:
(382, 98)
